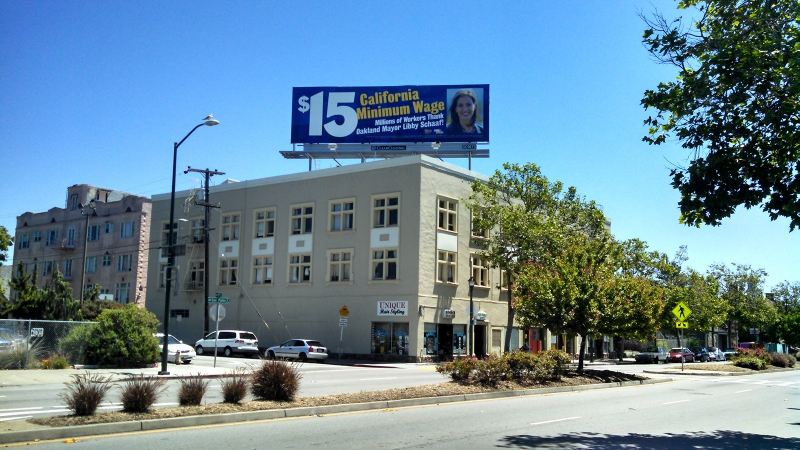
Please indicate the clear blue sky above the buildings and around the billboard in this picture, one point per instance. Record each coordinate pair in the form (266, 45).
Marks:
(97, 92)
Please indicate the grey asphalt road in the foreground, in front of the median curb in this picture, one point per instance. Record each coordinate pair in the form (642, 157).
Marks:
(749, 412)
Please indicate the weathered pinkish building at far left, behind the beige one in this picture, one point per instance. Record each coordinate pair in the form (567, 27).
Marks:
(100, 237)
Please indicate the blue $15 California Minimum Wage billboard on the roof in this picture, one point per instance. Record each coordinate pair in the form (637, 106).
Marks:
(386, 114)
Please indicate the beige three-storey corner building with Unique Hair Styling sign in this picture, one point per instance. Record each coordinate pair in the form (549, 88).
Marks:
(389, 241)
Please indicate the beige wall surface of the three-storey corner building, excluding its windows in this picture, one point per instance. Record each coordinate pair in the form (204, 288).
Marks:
(311, 310)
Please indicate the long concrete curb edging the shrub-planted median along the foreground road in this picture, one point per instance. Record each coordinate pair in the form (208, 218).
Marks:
(45, 434)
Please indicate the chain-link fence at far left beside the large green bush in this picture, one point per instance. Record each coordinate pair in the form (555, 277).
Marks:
(26, 343)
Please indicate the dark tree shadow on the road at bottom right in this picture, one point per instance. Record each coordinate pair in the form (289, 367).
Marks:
(720, 440)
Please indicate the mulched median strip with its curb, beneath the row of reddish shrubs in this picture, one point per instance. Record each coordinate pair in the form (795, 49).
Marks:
(212, 414)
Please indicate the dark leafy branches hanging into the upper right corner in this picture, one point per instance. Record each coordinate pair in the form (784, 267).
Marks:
(735, 105)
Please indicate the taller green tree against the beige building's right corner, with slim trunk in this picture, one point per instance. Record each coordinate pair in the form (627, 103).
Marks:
(527, 216)
